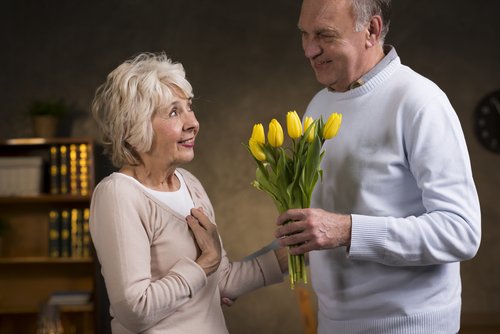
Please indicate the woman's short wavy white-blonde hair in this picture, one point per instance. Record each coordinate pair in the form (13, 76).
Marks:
(124, 105)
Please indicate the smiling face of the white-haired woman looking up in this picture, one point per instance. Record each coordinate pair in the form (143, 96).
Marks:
(175, 128)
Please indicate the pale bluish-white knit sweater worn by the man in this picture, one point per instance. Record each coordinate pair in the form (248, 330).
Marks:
(400, 166)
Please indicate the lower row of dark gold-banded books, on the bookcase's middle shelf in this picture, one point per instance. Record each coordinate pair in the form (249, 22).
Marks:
(69, 234)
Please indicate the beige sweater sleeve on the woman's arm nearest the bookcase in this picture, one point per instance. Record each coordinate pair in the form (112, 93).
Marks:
(123, 244)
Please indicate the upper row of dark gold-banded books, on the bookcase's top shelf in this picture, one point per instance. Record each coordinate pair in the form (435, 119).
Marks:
(70, 169)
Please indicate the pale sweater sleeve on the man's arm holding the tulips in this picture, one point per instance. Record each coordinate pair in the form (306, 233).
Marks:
(449, 228)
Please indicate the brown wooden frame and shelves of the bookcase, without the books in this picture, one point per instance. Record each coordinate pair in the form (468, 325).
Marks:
(28, 274)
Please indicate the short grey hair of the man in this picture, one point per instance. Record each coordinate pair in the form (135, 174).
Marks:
(364, 10)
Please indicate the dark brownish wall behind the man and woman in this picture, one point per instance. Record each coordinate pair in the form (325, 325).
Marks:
(246, 65)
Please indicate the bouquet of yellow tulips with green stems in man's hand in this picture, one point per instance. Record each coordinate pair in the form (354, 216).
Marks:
(289, 175)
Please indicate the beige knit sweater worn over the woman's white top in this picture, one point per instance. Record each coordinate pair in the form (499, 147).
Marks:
(147, 254)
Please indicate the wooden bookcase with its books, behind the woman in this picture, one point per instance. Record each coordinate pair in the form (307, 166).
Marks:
(47, 246)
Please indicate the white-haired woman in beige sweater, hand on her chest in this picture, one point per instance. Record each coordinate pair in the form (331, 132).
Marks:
(151, 222)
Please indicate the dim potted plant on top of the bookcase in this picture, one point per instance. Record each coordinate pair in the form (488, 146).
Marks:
(45, 115)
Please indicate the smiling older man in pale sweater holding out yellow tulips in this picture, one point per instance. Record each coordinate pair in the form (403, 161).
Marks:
(397, 210)
